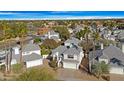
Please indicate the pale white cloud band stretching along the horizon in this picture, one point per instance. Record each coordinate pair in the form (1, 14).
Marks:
(62, 18)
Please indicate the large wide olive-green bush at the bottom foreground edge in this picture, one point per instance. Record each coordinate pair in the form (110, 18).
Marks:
(37, 74)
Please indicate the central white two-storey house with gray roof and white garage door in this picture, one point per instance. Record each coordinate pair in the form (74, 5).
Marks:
(68, 55)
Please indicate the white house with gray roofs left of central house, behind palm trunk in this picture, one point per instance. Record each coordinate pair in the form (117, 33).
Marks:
(31, 55)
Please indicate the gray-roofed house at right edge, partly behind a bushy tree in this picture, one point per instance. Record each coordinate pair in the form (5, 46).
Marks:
(112, 56)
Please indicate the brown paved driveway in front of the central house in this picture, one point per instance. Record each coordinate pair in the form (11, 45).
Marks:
(74, 75)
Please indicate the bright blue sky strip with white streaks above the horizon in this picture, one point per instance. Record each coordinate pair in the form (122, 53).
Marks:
(11, 15)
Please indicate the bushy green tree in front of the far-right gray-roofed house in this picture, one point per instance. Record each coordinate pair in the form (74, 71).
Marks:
(100, 68)
